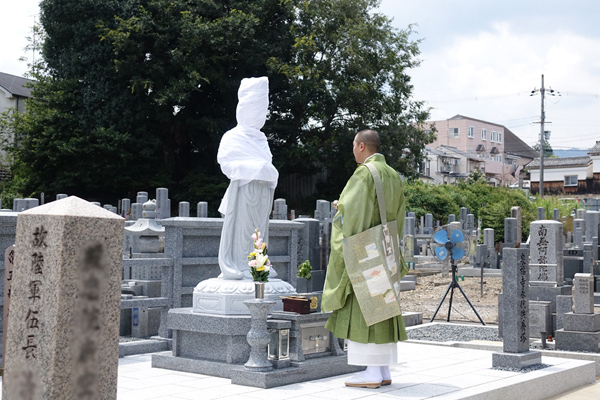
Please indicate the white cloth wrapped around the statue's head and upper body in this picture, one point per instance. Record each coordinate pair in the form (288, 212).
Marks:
(244, 153)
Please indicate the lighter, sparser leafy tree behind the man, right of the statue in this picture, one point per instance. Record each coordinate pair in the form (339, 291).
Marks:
(347, 72)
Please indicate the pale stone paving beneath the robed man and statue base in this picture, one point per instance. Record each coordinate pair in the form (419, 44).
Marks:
(426, 372)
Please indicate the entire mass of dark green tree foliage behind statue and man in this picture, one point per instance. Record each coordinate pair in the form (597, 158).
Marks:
(136, 94)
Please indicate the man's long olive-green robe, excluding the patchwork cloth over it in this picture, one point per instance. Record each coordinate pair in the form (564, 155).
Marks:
(357, 212)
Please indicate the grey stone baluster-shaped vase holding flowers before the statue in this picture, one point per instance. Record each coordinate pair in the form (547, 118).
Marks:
(259, 337)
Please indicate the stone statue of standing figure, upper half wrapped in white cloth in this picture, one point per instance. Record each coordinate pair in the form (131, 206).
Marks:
(245, 159)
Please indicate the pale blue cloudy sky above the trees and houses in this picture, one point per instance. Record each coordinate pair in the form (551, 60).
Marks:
(480, 58)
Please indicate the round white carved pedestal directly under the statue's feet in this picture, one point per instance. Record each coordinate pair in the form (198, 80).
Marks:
(226, 297)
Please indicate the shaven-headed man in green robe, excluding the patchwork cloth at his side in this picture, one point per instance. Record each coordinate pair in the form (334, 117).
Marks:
(373, 346)
